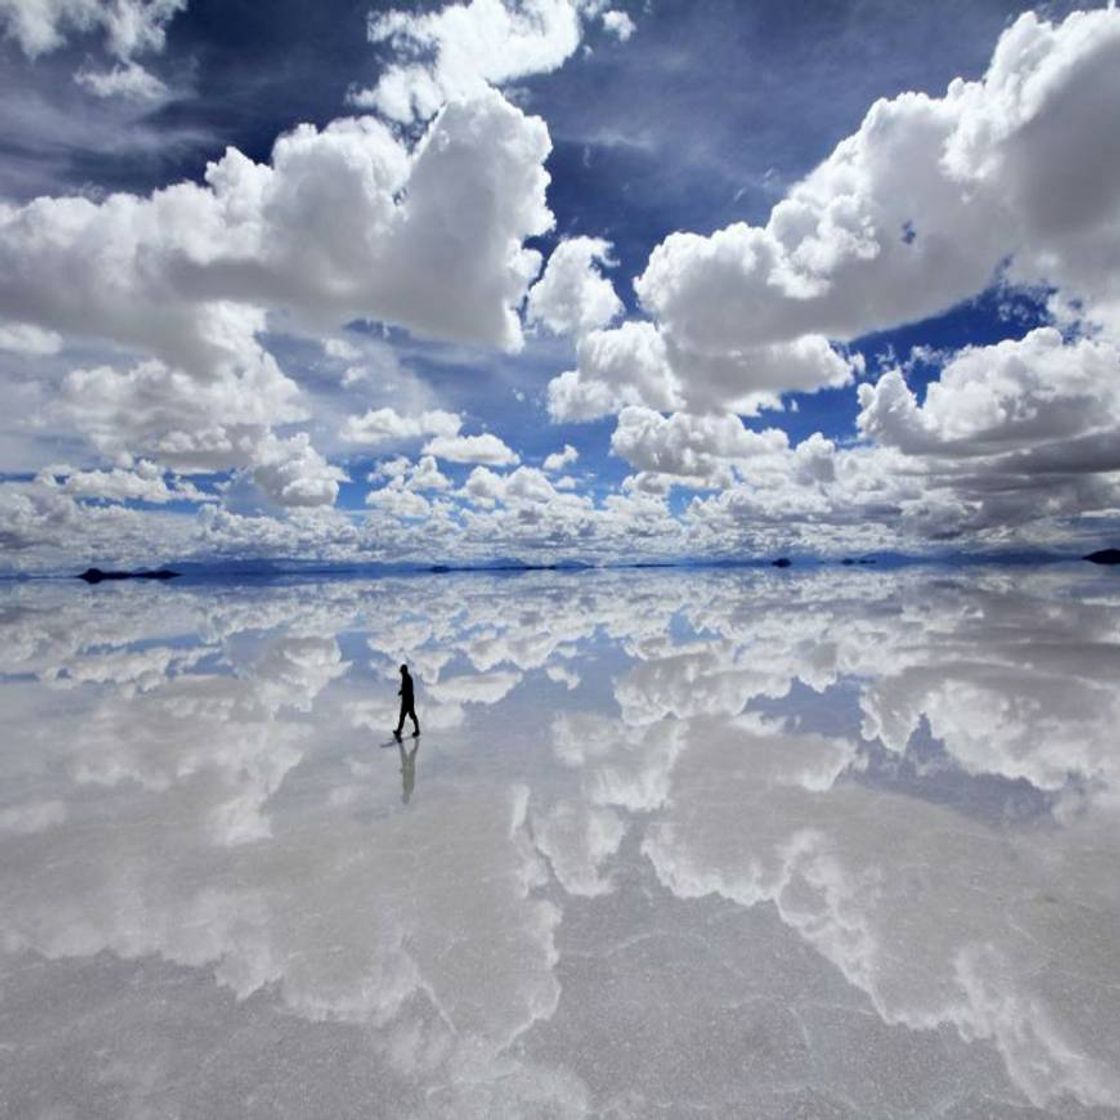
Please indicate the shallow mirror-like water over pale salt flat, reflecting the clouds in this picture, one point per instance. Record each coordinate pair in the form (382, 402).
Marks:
(820, 845)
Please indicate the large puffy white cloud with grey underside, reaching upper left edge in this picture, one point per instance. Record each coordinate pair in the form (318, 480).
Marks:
(346, 223)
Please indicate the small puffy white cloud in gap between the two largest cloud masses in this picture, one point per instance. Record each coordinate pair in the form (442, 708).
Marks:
(573, 297)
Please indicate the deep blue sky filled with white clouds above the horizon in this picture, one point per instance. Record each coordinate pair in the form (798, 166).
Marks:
(556, 281)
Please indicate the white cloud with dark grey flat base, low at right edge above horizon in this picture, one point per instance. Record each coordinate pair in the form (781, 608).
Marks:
(1010, 435)
